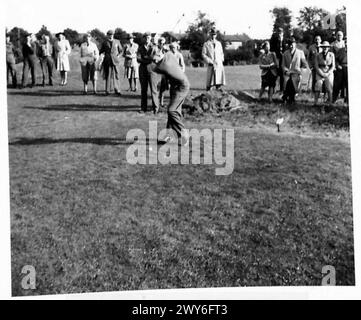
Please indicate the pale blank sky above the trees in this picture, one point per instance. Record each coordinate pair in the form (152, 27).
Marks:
(231, 16)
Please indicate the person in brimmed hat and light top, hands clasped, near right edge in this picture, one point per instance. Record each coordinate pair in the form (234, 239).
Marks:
(325, 65)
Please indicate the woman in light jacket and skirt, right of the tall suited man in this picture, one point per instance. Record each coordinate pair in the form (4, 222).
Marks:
(130, 63)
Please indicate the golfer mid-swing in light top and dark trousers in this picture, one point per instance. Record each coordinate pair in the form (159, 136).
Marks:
(167, 64)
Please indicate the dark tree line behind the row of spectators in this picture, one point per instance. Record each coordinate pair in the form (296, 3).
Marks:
(310, 22)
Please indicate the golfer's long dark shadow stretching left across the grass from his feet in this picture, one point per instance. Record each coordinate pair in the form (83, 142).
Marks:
(85, 140)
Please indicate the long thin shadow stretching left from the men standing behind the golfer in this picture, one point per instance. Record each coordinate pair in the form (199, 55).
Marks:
(86, 107)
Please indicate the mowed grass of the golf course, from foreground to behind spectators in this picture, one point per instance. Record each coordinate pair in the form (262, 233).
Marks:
(89, 221)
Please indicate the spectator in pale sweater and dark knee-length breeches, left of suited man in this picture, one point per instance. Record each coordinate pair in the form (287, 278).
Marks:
(89, 54)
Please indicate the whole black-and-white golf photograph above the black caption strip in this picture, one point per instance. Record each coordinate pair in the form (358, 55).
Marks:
(194, 145)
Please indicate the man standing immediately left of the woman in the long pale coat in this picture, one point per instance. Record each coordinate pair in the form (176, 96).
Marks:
(45, 53)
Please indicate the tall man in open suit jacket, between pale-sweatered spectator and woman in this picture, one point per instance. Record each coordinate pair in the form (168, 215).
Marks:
(112, 50)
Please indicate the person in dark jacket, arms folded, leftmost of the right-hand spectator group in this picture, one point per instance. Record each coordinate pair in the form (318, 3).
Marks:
(269, 67)
